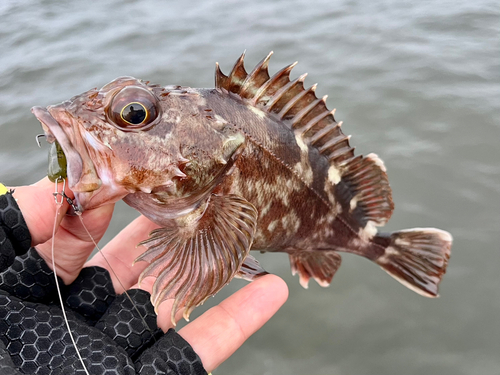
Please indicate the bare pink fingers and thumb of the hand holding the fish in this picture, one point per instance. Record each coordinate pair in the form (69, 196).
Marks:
(214, 336)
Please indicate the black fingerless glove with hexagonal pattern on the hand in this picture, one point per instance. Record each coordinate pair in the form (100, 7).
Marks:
(113, 335)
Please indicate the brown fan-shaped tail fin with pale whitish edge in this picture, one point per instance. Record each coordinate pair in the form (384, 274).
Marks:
(417, 258)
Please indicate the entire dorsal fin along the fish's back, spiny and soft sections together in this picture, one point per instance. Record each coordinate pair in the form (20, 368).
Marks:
(364, 181)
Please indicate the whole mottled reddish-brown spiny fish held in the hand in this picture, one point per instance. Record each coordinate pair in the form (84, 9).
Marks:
(257, 163)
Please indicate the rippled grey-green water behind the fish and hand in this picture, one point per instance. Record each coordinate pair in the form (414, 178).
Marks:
(418, 83)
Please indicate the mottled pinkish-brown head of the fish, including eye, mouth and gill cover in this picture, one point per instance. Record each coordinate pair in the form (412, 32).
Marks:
(130, 137)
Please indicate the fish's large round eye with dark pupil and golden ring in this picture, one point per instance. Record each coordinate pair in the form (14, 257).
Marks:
(133, 108)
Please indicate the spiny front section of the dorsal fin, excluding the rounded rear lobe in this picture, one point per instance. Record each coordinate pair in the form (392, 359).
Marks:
(288, 101)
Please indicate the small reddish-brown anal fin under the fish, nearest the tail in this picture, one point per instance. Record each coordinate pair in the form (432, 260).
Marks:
(321, 265)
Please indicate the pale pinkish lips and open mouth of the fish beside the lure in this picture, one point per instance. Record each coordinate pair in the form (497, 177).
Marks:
(81, 174)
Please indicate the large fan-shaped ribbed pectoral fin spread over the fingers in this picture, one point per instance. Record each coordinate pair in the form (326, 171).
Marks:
(194, 261)
